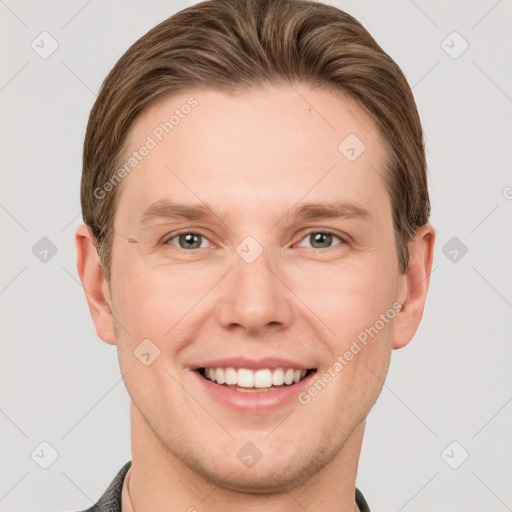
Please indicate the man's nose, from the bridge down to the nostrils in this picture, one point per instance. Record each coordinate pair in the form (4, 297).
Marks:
(254, 297)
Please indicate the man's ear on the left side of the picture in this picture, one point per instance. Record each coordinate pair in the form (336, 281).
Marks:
(95, 285)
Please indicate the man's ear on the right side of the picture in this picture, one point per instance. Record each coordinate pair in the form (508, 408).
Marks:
(414, 286)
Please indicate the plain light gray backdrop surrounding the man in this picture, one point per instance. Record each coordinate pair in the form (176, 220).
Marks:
(61, 384)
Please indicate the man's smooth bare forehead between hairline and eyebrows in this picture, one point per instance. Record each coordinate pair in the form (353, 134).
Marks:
(255, 150)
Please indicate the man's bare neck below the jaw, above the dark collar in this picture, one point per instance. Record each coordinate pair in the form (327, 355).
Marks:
(159, 481)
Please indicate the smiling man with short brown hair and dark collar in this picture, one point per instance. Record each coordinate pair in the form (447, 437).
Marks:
(256, 242)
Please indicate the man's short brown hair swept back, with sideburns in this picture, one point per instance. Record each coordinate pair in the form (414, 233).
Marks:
(230, 45)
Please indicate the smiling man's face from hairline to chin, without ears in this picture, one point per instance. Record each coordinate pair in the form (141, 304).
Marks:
(278, 260)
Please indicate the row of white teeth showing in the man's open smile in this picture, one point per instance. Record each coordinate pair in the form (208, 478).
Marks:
(254, 381)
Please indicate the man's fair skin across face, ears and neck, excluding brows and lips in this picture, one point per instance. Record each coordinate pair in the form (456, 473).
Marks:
(251, 157)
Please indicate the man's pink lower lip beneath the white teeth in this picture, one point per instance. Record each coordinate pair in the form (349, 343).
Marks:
(254, 401)
